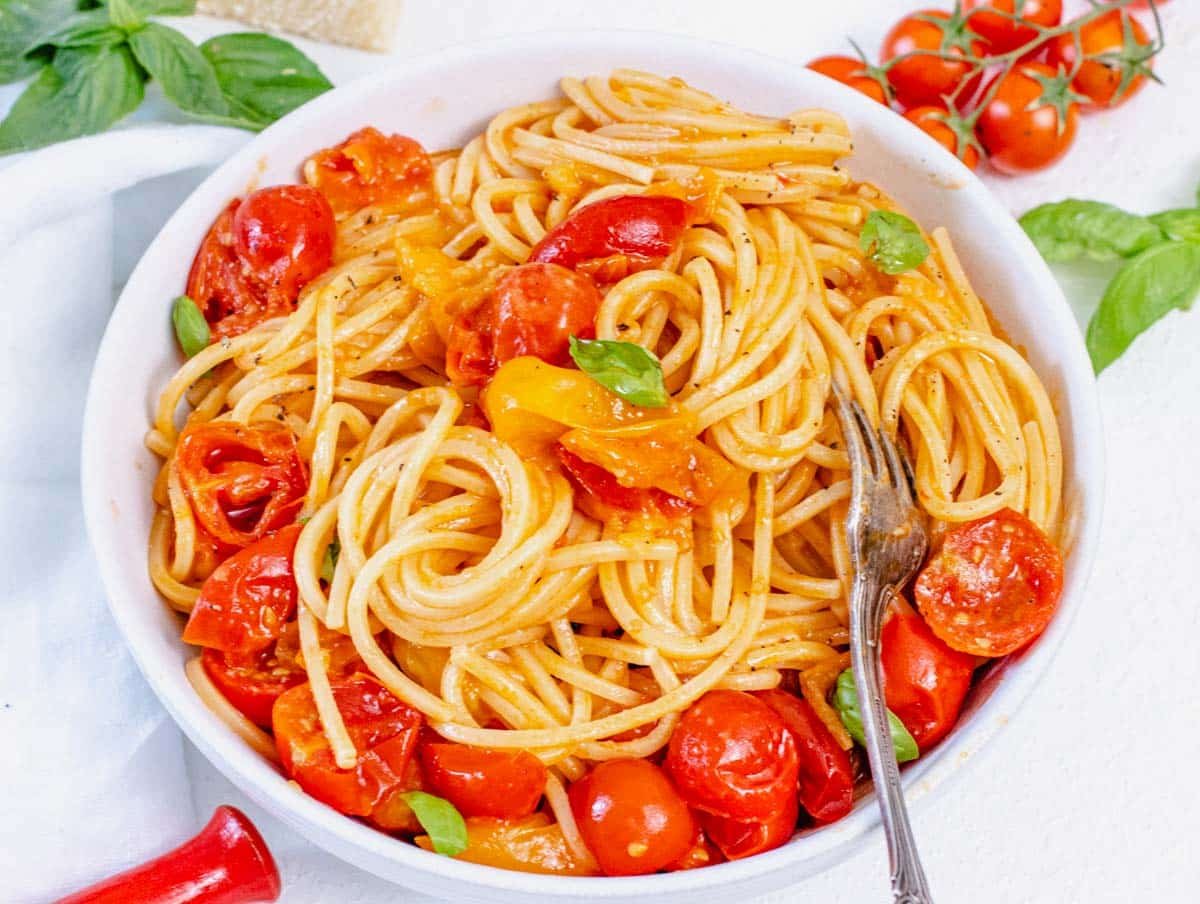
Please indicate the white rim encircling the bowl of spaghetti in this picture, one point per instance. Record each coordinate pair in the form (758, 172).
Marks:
(367, 847)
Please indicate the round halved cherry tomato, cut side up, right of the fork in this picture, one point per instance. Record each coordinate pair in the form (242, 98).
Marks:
(994, 585)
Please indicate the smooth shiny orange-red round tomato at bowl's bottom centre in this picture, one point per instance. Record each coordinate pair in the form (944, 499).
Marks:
(632, 818)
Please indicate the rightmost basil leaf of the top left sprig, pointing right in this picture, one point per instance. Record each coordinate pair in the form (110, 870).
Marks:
(262, 77)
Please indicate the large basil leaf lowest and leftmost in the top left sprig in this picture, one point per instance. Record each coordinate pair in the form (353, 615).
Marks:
(85, 92)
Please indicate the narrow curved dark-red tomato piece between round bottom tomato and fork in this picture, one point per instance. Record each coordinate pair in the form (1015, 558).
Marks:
(826, 777)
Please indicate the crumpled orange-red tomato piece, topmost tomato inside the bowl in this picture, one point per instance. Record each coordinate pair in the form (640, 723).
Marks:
(369, 169)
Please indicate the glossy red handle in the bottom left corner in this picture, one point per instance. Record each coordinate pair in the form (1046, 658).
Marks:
(226, 864)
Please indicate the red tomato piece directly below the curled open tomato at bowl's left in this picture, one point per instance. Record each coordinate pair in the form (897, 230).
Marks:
(245, 603)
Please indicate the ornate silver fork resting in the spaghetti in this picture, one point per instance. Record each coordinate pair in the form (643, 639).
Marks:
(887, 546)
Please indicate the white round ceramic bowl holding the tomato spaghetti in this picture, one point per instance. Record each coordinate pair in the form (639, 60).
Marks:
(442, 100)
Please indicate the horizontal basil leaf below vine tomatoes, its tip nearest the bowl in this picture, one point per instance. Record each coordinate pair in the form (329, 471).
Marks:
(1067, 230)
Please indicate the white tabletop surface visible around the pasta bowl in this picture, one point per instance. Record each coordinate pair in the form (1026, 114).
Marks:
(1087, 797)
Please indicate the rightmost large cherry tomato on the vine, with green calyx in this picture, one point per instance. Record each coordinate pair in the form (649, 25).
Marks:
(1100, 80)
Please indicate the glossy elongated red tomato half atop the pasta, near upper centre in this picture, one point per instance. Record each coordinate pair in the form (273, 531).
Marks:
(616, 237)
